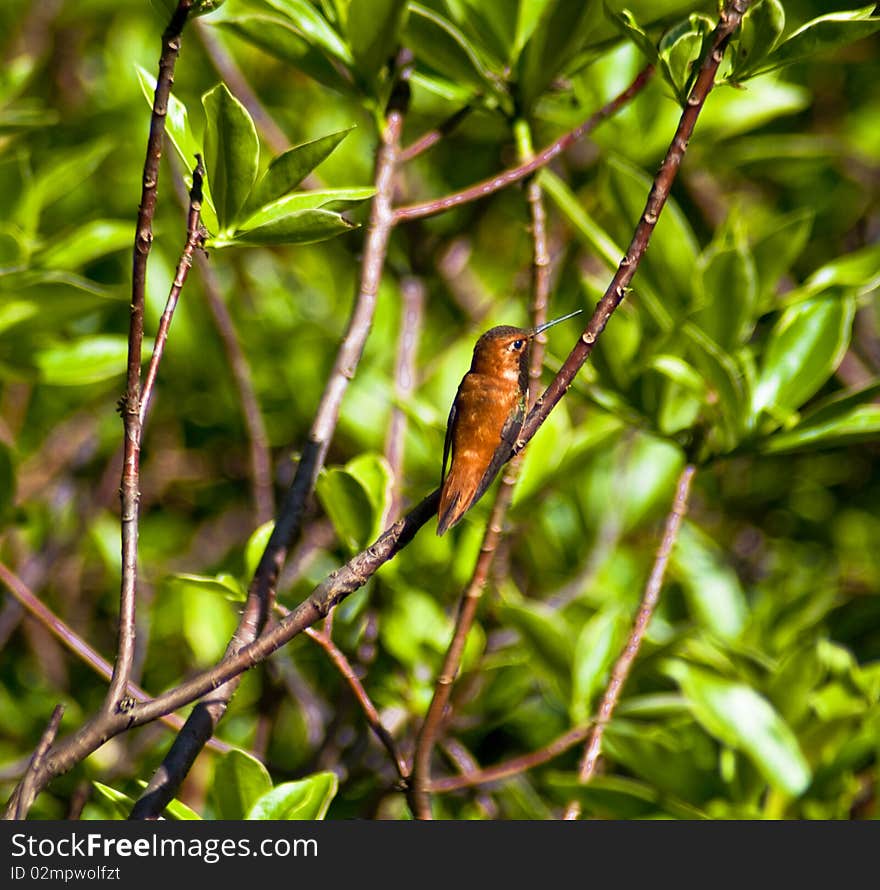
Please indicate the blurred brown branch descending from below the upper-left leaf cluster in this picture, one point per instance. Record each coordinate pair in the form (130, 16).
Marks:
(261, 459)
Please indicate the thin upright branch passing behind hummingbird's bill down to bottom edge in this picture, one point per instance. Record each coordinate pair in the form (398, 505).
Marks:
(421, 774)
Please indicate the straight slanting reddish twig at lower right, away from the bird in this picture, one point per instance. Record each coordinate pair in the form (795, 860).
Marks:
(624, 663)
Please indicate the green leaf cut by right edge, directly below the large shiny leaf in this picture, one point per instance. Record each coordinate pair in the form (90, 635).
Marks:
(842, 420)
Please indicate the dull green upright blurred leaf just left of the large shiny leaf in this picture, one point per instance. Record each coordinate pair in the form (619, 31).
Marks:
(727, 293)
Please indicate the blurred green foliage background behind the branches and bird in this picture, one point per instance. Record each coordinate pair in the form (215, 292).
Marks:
(748, 345)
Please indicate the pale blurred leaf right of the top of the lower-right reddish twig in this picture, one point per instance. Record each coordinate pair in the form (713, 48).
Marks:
(711, 584)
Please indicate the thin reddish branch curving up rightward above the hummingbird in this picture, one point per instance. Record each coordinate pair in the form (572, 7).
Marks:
(521, 171)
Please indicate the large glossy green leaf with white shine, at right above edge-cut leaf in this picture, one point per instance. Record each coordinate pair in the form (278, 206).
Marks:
(805, 346)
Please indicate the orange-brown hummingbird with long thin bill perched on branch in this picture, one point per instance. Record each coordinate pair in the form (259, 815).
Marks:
(486, 417)
